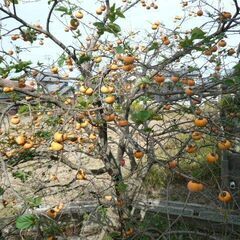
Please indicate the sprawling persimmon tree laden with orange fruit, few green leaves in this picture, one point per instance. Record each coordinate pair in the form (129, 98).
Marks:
(168, 98)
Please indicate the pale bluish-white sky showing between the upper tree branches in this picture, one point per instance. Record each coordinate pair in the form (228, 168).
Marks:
(137, 19)
